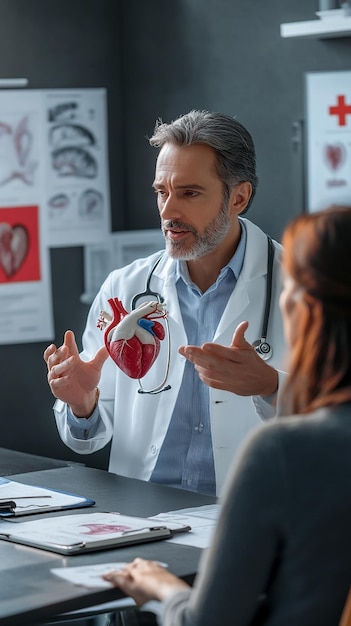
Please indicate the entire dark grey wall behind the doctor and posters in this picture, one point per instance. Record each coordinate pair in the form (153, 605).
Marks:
(157, 58)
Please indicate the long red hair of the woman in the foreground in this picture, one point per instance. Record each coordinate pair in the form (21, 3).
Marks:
(317, 255)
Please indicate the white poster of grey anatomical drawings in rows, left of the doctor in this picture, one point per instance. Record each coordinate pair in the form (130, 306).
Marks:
(77, 184)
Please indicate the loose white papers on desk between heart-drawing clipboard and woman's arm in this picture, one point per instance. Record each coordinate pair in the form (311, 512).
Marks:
(201, 519)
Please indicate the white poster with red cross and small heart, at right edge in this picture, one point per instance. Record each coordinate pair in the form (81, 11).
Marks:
(328, 117)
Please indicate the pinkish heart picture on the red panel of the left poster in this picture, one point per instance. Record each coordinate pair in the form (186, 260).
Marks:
(14, 244)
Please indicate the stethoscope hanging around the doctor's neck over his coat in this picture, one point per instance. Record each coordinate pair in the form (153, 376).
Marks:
(262, 347)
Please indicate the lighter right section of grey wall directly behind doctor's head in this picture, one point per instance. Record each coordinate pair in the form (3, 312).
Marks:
(222, 55)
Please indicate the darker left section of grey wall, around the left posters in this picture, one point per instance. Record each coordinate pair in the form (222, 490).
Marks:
(71, 43)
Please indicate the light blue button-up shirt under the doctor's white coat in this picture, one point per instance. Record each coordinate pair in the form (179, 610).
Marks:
(186, 457)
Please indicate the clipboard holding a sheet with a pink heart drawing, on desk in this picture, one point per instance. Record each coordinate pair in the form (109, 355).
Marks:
(89, 532)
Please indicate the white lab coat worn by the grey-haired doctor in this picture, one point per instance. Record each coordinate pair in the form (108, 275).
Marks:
(138, 422)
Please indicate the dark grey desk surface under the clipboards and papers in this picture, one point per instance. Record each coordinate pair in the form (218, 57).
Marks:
(30, 594)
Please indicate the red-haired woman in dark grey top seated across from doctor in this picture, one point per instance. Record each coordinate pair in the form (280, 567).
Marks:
(281, 554)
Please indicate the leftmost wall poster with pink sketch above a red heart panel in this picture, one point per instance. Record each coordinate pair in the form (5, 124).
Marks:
(25, 283)
